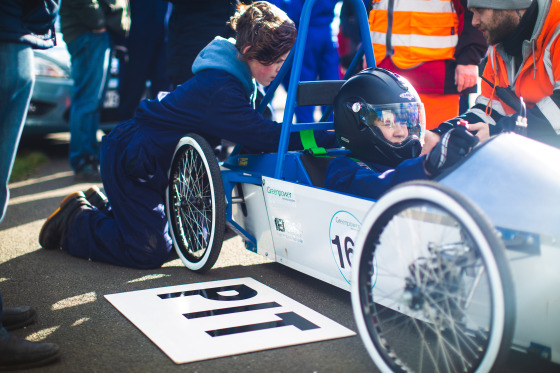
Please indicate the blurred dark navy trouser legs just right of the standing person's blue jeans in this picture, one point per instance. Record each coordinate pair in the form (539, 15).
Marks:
(144, 58)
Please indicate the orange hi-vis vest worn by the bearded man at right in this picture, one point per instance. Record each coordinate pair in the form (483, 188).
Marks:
(538, 75)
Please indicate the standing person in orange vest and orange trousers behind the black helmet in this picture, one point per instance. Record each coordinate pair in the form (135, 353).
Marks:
(433, 44)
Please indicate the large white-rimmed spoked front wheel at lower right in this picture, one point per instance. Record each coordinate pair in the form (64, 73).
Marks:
(431, 286)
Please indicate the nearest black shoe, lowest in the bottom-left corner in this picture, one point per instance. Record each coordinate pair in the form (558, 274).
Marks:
(17, 353)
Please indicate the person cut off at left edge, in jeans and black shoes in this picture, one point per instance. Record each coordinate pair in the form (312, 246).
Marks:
(23, 25)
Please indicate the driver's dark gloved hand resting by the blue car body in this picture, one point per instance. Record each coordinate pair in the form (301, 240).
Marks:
(453, 146)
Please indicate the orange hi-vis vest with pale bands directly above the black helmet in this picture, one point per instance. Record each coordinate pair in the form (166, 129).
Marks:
(414, 31)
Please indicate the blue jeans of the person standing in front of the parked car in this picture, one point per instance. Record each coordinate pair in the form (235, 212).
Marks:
(90, 54)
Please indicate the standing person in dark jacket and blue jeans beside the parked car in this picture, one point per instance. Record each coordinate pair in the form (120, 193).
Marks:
(87, 27)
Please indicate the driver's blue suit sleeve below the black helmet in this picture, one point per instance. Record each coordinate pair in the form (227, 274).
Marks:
(371, 180)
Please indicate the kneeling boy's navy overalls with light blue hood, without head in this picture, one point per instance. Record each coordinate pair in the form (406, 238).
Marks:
(135, 157)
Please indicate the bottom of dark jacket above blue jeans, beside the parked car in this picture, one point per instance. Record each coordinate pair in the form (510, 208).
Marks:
(78, 17)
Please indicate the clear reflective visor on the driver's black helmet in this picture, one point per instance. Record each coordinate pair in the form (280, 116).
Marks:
(411, 115)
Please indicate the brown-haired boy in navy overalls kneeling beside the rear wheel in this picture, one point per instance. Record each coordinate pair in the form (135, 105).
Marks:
(130, 229)
